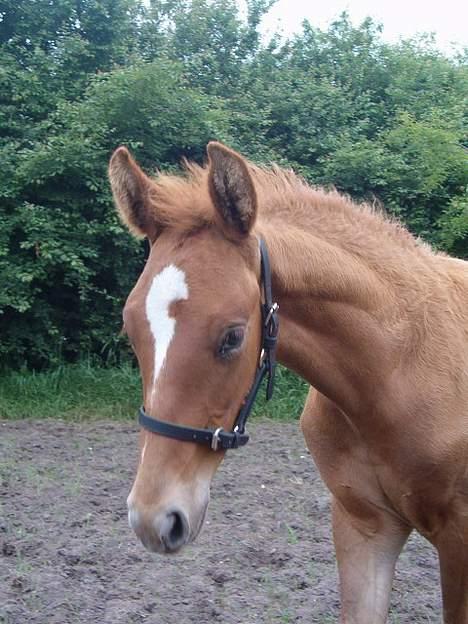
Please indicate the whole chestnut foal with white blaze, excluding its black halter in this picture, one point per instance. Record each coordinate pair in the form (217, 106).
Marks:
(372, 318)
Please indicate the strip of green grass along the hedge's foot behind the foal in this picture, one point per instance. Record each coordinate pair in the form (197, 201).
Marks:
(84, 391)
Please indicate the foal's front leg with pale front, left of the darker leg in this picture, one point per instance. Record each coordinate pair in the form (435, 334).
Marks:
(366, 563)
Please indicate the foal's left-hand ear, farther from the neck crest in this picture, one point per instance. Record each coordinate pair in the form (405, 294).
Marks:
(131, 189)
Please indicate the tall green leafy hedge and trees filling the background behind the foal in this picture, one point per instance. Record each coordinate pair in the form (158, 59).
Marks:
(79, 77)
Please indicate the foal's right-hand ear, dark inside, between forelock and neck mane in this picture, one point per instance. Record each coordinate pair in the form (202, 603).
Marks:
(232, 190)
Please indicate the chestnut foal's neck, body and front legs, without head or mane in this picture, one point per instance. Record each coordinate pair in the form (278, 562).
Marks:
(388, 426)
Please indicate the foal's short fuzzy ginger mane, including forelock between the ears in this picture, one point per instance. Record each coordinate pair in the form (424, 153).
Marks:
(182, 201)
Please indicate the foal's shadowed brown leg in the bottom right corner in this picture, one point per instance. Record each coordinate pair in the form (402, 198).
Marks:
(452, 547)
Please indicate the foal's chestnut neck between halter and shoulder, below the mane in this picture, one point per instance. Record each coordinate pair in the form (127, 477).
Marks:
(341, 317)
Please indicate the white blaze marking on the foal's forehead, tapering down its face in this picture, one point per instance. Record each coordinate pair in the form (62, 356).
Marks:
(168, 287)
